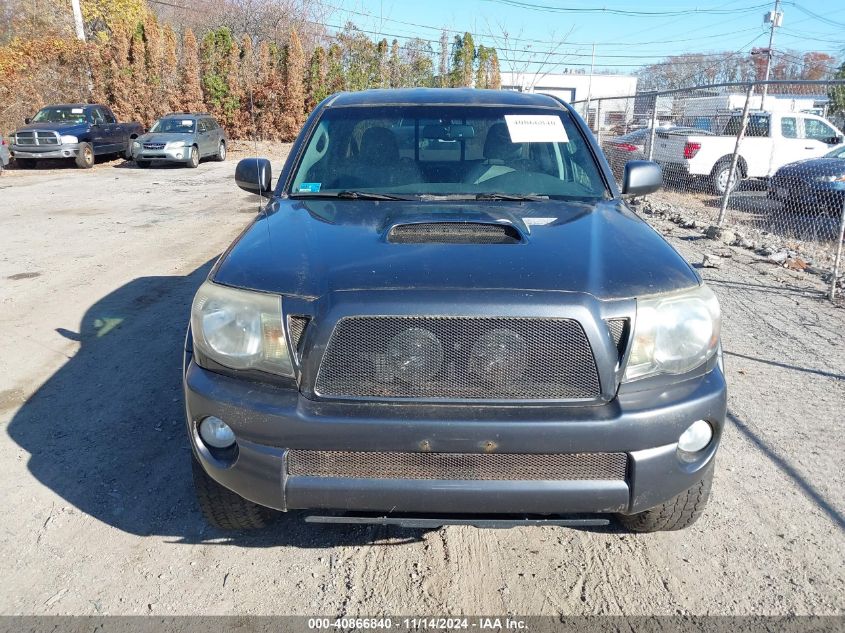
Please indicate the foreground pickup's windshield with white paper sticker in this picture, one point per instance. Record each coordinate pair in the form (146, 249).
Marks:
(451, 151)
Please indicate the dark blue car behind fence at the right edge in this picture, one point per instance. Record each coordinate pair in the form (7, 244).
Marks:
(811, 185)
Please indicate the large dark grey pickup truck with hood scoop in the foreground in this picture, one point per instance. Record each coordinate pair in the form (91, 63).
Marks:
(491, 334)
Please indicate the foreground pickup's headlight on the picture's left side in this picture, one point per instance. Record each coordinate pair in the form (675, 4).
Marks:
(240, 329)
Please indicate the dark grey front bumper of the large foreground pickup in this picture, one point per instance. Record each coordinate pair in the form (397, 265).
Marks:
(269, 420)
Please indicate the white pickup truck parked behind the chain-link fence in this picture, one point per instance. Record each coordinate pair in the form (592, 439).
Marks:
(772, 139)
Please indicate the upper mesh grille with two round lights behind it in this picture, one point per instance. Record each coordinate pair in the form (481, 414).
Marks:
(454, 358)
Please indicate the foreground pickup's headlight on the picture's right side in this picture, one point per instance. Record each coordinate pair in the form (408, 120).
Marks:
(674, 333)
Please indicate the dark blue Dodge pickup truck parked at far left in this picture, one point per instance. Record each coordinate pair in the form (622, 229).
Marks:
(79, 131)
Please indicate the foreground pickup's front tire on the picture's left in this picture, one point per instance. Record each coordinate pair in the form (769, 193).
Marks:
(224, 509)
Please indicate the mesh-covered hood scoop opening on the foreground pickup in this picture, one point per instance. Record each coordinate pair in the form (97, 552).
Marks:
(454, 233)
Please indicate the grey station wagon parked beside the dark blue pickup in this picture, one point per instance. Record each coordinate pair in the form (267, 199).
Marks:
(181, 138)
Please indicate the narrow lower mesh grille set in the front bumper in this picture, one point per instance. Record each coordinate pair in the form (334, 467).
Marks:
(458, 466)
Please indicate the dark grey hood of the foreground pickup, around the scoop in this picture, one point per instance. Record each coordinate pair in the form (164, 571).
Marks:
(309, 248)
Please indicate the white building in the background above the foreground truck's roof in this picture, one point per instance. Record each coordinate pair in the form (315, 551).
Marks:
(602, 91)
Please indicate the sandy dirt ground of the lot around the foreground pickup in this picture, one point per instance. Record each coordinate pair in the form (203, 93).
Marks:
(97, 271)
